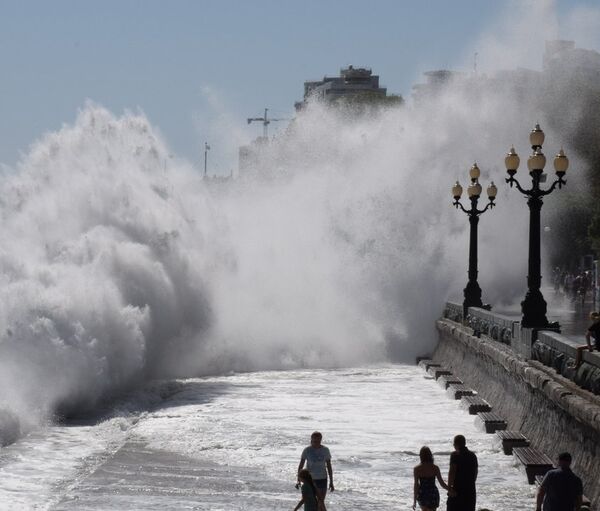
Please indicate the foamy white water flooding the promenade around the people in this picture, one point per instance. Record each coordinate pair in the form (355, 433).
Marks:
(233, 443)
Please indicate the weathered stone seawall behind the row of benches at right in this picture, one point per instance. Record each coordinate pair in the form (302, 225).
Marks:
(547, 408)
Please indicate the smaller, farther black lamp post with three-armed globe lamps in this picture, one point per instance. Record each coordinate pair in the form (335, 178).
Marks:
(473, 292)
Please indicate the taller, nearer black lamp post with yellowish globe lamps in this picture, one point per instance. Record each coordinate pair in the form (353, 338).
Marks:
(534, 306)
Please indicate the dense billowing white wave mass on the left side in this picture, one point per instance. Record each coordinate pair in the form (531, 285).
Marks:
(102, 268)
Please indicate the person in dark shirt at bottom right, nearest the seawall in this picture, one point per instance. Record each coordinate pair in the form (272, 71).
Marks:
(561, 489)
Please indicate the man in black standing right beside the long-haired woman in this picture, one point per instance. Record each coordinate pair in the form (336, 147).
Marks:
(461, 477)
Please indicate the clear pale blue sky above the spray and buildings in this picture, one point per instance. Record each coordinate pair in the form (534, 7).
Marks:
(189, 65)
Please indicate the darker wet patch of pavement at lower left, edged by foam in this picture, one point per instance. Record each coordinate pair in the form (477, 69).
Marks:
(137, 477)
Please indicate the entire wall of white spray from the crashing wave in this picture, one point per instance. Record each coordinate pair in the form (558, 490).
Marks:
(119, 264)
